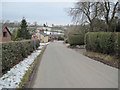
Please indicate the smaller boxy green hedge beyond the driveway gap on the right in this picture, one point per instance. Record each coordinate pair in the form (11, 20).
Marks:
(76, 39)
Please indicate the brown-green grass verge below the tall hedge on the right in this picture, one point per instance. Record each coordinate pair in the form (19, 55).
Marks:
(104, 58)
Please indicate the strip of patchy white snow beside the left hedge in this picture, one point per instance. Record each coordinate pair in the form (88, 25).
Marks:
(13, 77)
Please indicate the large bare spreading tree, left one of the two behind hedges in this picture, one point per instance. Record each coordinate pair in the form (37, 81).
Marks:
(86, 12)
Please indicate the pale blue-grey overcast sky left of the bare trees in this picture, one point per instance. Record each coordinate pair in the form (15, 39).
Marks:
(42, 12)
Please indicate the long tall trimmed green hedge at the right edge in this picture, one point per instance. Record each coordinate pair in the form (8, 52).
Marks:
(103, 42)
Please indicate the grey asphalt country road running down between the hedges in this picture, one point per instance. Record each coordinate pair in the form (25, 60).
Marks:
(62, 67)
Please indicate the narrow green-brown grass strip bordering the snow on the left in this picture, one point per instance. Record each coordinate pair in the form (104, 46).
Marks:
(28, 74)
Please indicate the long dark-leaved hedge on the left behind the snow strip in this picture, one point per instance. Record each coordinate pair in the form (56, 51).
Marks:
(14, 52)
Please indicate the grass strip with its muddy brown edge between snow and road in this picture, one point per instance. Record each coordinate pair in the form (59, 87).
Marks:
(28, 78)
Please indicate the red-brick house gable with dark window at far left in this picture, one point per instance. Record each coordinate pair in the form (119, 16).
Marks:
(5, 34)
